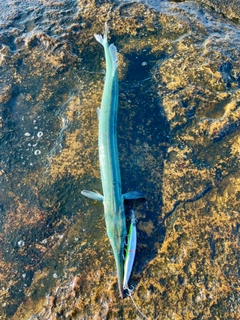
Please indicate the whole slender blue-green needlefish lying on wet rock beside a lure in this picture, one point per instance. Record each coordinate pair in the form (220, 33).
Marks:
(112, 198)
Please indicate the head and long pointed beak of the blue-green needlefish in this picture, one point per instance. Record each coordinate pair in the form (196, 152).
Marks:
(116, 231)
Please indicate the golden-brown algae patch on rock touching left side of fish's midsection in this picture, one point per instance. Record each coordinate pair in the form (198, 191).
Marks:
(80, 145)
